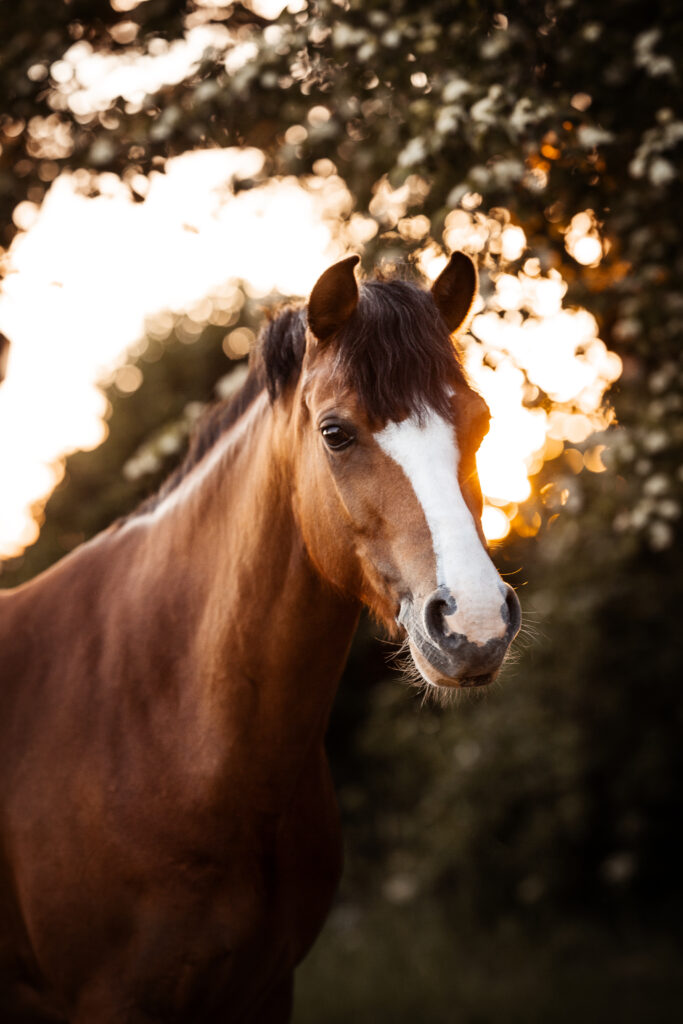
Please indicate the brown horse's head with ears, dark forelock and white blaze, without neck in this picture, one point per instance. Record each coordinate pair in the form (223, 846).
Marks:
(383, 467)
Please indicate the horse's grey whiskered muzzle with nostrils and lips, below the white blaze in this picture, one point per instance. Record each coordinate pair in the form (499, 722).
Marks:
(446, 657)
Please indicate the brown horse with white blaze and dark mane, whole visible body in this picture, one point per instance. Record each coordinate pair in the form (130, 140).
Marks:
(170, 834)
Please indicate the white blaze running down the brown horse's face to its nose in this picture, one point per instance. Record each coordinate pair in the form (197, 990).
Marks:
(430, 457)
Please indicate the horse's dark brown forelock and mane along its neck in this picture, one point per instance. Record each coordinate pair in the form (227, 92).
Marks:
(396, 353)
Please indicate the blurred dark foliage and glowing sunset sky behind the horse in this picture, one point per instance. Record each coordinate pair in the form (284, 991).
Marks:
(170, 169)
